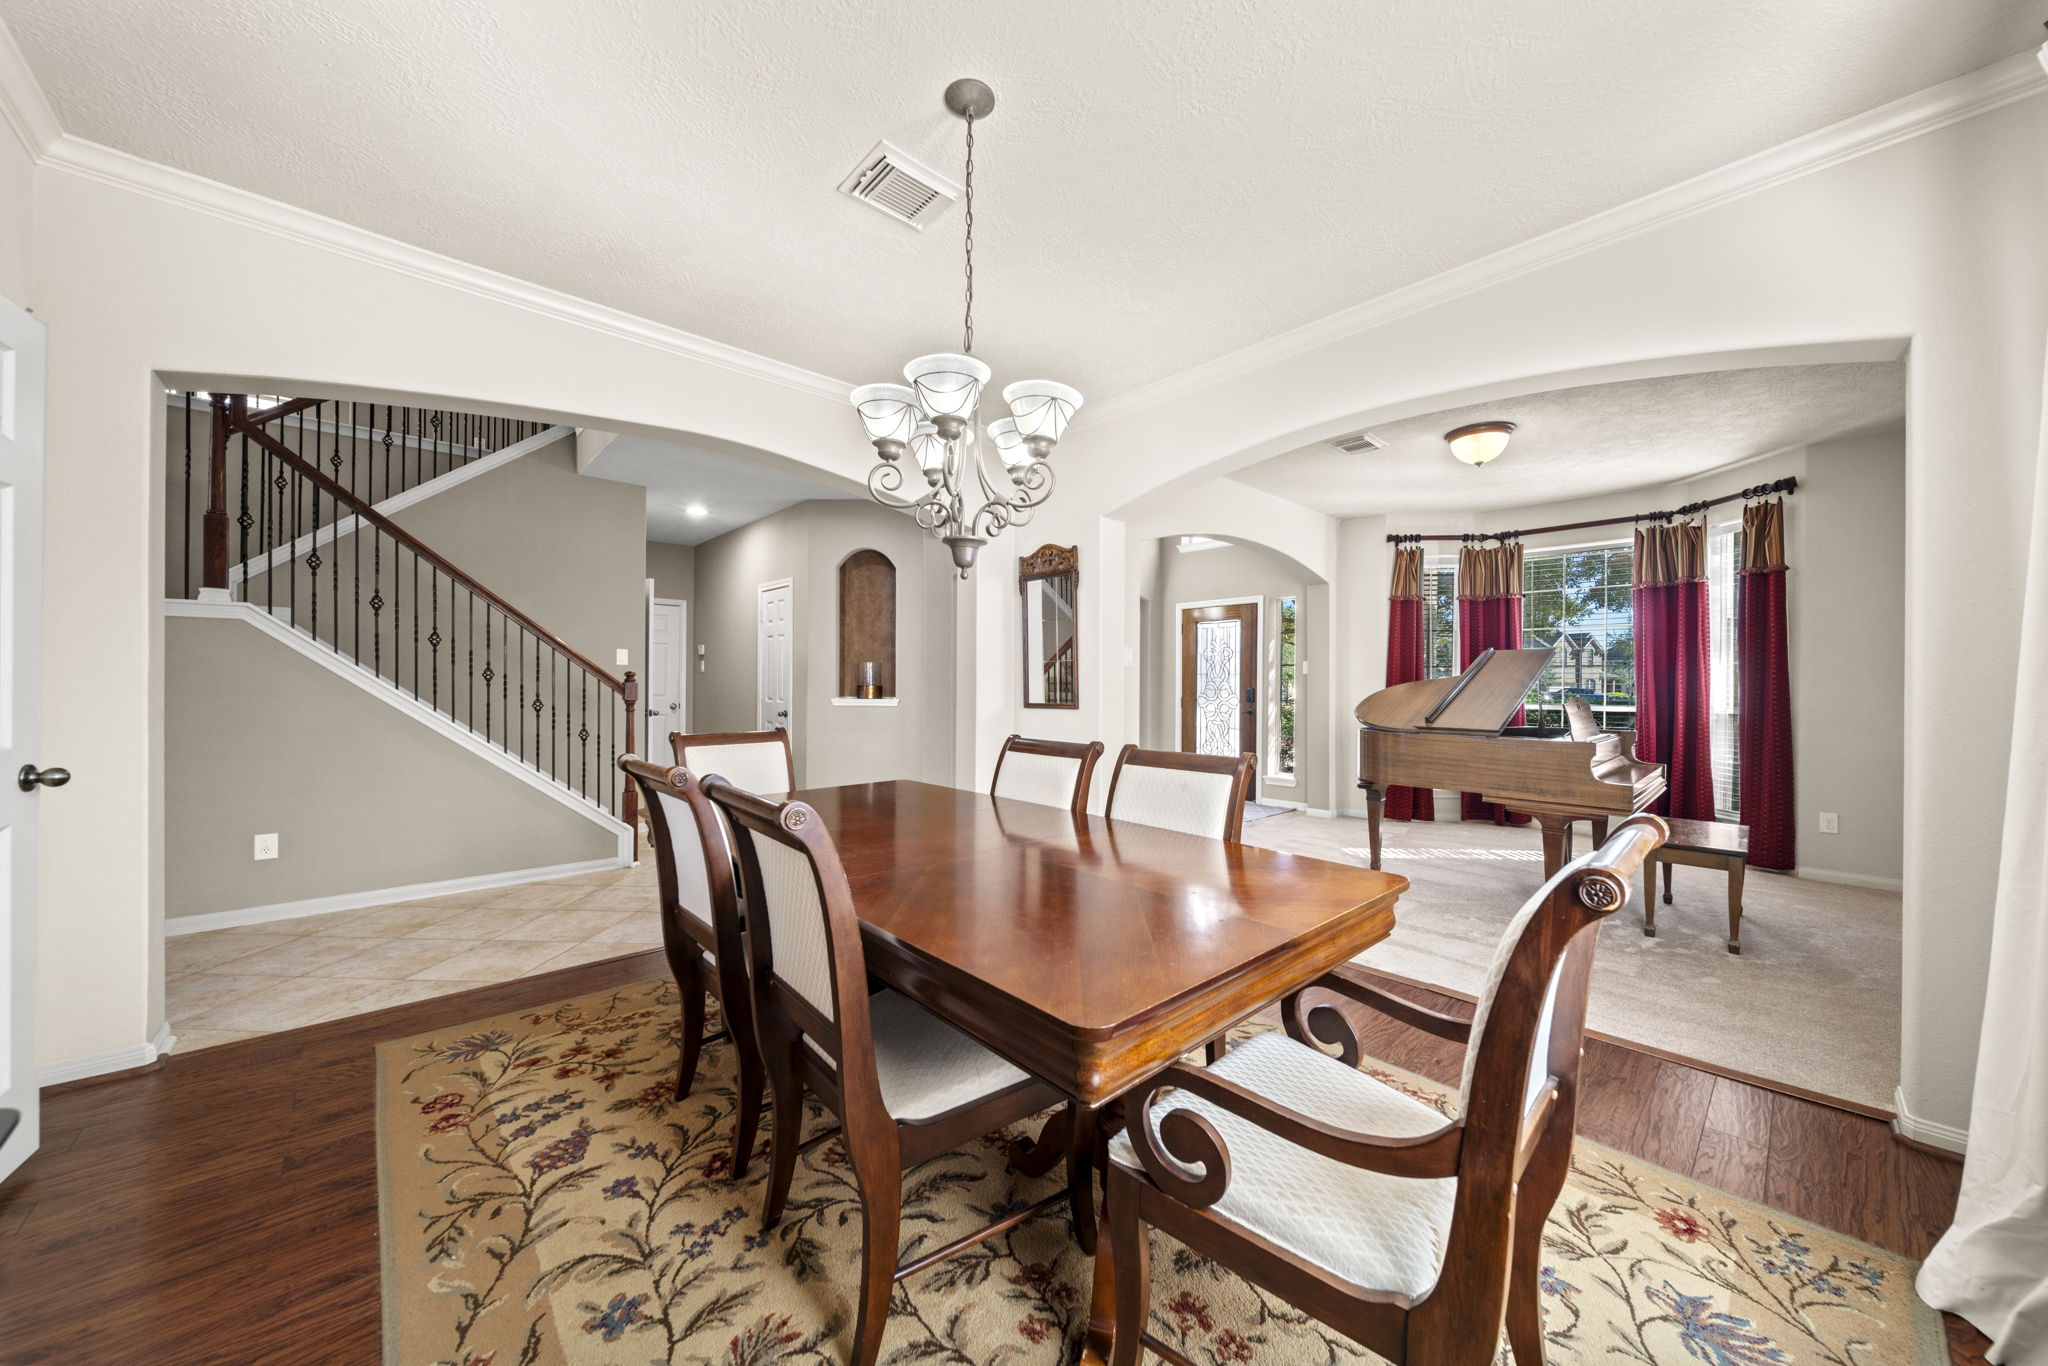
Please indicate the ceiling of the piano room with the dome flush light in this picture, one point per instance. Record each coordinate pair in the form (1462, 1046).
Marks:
(1596, 439)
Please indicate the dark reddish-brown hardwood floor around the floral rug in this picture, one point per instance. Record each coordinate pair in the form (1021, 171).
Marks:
(222, 1207)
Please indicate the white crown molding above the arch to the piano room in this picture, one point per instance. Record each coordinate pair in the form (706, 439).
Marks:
(1920, 114)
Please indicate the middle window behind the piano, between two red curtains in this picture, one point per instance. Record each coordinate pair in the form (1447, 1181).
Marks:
(1578, 605)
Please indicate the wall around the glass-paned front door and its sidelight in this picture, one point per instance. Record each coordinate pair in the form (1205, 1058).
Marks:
(1242, 572)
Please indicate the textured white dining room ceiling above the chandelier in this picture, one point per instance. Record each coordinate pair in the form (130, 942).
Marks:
(1164, 181)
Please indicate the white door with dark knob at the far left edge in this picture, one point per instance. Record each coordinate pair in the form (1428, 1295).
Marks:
(22, 673)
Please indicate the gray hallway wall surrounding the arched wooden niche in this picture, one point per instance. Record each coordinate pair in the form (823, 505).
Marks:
(806, 546)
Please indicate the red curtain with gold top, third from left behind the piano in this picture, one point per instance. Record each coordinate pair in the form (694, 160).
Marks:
(1672, 667)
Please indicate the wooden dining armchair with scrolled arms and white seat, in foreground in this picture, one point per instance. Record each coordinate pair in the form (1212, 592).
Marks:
(1359, 1205)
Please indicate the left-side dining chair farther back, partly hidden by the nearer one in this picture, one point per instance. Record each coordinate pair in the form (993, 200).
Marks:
(701, 931)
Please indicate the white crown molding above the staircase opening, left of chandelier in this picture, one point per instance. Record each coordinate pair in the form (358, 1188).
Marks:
(130, 173)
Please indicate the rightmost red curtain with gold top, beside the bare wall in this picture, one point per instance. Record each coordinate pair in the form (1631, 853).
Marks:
(1764, 728)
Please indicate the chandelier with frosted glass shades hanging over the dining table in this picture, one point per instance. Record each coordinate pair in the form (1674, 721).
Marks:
(972, 495)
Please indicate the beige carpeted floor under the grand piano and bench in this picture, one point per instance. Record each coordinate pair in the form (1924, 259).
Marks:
(1811, 1000)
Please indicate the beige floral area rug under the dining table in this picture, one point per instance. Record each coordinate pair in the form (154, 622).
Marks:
(548, 1201)
